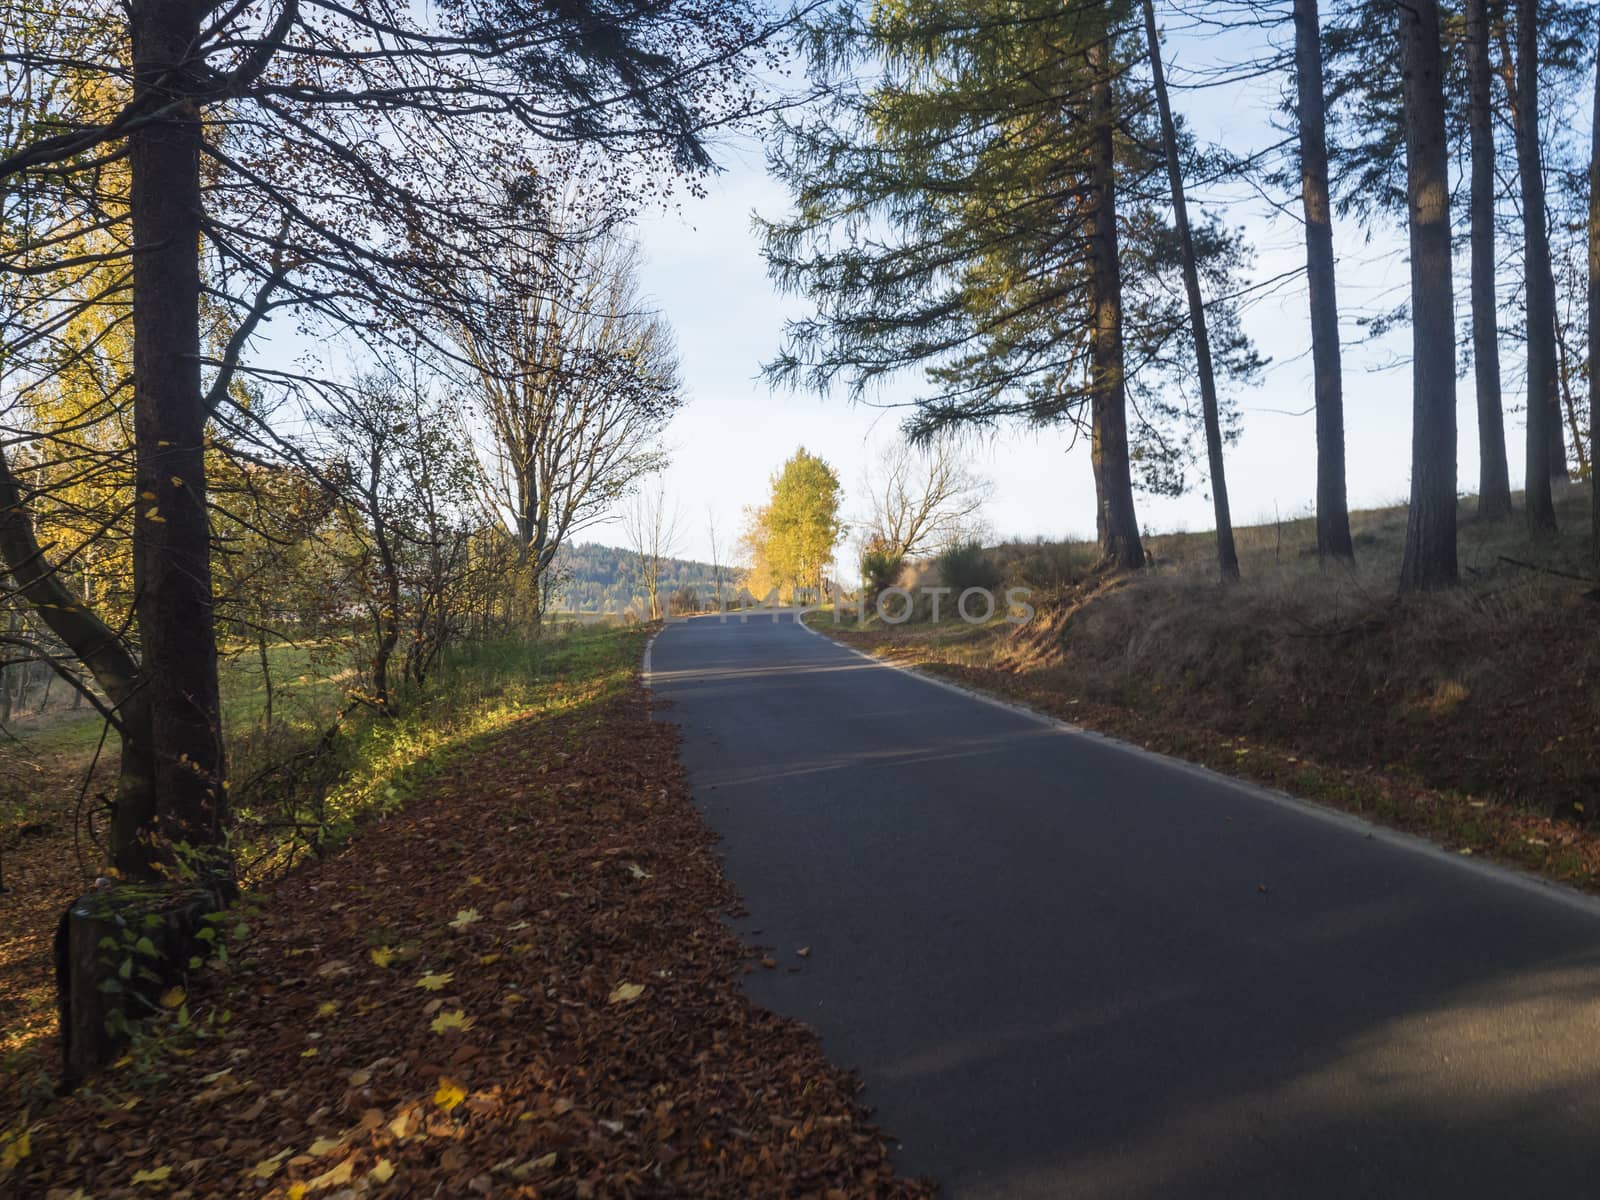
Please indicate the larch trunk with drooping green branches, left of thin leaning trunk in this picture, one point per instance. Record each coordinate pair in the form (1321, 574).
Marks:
(1118, 522)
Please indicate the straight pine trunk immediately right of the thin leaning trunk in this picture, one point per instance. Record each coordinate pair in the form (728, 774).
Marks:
(1334, 514)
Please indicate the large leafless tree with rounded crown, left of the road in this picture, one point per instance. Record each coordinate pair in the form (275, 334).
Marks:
(575, 383)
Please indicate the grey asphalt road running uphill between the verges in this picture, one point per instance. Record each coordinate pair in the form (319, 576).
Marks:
(1071, 969)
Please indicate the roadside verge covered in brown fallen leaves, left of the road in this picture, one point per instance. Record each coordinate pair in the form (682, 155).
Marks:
(518, 983)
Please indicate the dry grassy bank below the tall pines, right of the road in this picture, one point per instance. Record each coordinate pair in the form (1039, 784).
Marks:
(1470, 718)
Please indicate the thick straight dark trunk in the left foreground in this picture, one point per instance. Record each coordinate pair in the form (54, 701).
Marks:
(172, 527)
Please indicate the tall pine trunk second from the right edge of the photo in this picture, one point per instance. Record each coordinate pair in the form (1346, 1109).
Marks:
(1540, 284)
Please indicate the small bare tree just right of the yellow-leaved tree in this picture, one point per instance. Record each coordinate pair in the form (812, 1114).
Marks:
(924, 497)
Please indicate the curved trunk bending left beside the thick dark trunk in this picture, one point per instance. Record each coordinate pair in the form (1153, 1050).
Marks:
(108, 660)
